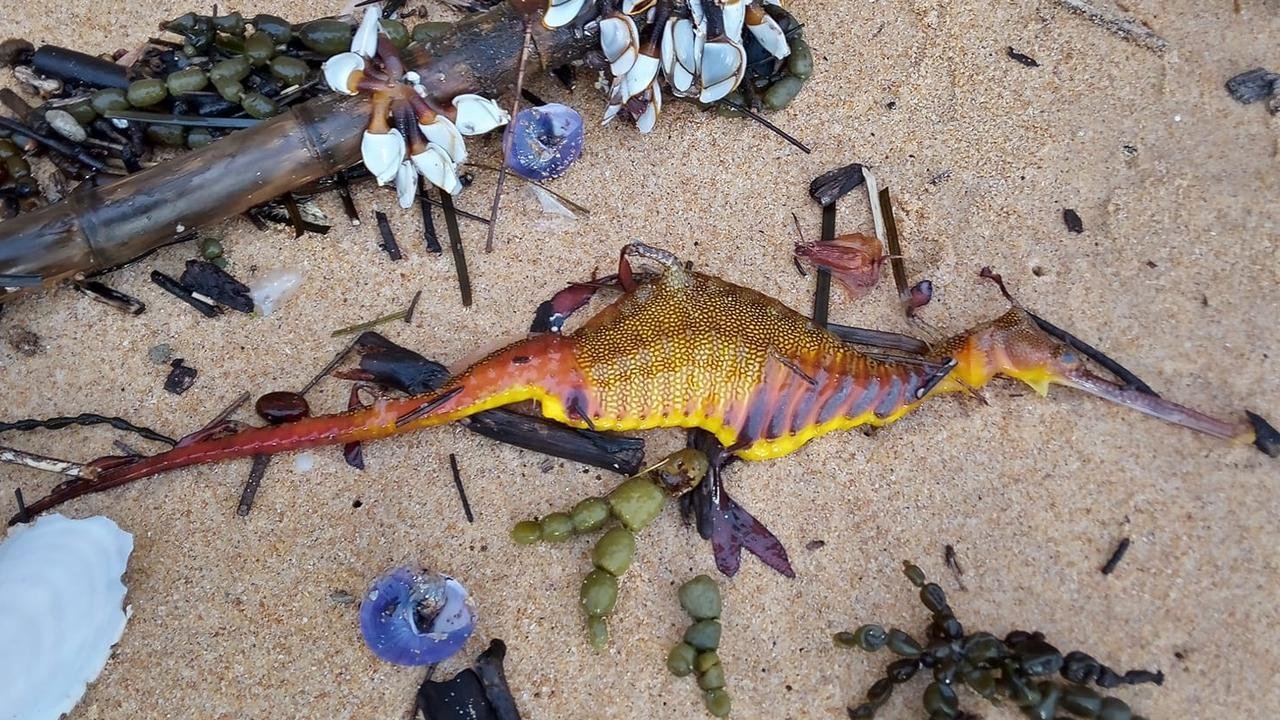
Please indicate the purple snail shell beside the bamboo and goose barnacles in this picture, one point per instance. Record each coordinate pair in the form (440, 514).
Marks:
(545, 142)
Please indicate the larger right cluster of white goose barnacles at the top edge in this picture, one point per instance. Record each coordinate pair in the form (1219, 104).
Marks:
(698, 47)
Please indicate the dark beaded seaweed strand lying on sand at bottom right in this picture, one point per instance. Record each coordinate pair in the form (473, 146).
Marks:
(1018, 669)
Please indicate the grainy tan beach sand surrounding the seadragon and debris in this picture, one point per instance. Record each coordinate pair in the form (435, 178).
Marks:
(1176, 276)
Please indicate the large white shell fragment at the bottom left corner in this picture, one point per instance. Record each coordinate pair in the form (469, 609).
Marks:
(62, 609)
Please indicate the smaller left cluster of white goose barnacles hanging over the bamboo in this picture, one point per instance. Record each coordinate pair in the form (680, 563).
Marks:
(409, 134)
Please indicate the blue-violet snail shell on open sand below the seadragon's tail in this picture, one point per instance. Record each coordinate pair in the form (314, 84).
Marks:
(414, 617)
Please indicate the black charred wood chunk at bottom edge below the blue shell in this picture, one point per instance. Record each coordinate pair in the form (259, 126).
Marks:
(476, 694)
